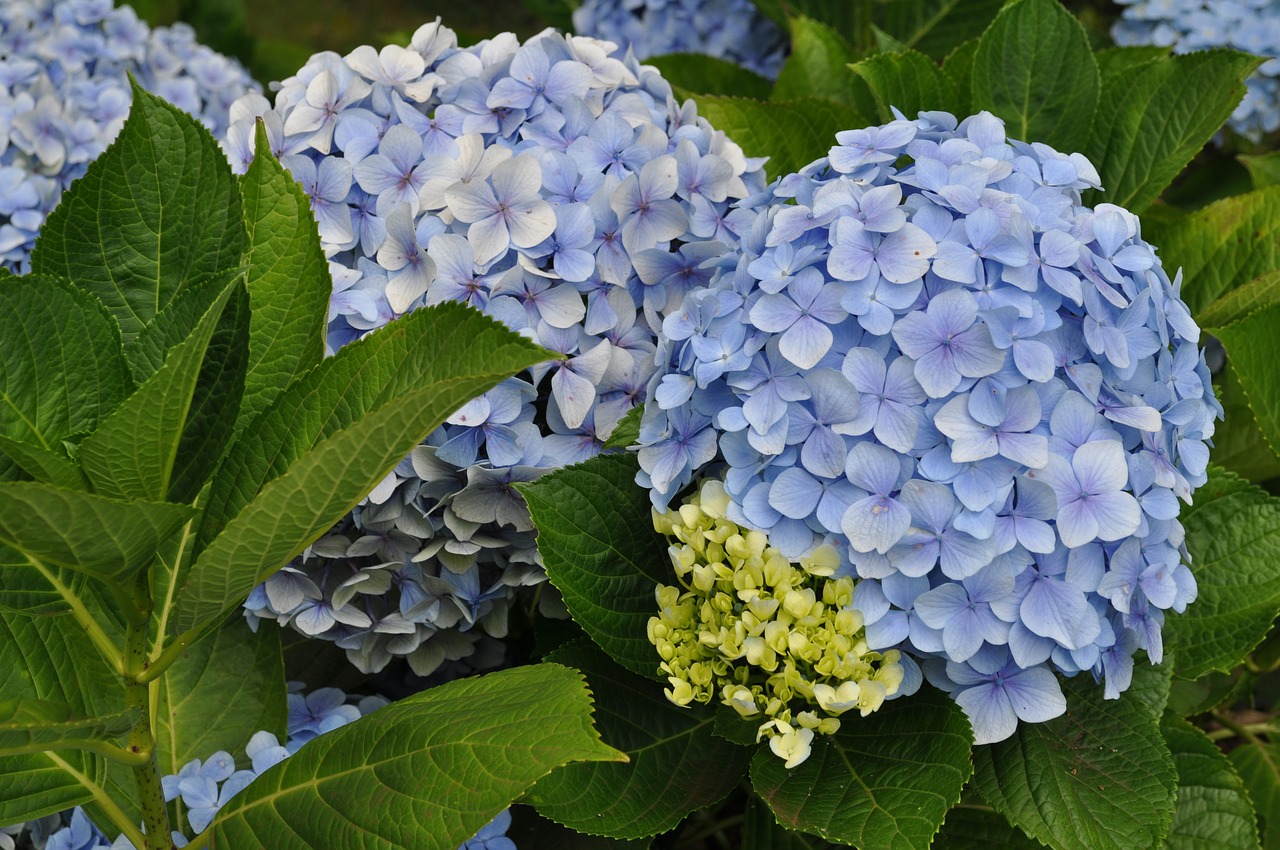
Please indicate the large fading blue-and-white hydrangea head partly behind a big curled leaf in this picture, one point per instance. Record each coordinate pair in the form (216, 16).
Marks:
(555, 186)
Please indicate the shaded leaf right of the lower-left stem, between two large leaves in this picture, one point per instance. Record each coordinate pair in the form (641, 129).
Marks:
(220, 694)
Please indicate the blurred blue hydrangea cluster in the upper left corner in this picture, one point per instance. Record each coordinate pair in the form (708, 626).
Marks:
(66, 97)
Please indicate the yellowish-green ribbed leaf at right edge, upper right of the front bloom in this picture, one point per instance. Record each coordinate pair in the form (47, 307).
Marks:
(1222, 246)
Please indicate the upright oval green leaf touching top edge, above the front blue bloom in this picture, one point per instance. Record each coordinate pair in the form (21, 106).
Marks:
(1035, 70)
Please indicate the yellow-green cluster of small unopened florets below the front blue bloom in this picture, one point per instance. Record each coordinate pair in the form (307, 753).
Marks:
(776, 641)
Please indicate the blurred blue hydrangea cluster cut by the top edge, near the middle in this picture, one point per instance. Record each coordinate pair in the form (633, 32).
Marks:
(733, 30)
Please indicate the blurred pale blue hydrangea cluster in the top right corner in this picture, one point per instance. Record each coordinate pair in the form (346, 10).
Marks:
(1252, 26)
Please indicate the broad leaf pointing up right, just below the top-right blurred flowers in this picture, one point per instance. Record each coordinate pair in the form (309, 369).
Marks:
(1156, 117)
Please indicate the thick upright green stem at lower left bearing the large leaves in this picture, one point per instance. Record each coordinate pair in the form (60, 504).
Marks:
(138, 696)
